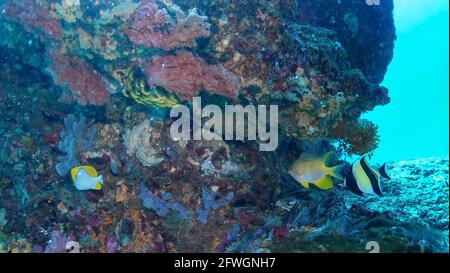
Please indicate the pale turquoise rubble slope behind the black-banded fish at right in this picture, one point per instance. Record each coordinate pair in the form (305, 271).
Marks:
(418, 191)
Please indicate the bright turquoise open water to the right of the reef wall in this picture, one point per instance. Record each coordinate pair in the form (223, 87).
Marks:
(415, 123)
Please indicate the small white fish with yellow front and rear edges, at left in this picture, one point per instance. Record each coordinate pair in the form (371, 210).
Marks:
(86, 178)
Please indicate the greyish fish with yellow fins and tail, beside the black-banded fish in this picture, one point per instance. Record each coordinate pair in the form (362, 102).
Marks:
(311, 169)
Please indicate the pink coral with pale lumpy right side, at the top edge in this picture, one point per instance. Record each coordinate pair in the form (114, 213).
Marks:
(154, 27)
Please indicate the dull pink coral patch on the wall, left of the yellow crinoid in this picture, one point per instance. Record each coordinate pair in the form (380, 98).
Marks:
(85, 84)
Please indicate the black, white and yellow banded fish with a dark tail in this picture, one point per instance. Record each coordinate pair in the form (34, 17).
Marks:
(364, 179)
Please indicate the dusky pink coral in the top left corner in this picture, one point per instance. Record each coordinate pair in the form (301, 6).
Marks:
(33, 17)
